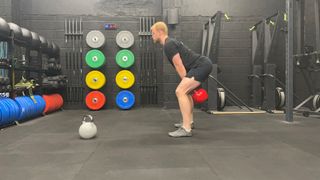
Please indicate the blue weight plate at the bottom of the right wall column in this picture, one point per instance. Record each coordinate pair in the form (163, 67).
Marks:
(125, 99)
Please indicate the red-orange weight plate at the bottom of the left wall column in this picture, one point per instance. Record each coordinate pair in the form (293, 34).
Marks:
(95, 100)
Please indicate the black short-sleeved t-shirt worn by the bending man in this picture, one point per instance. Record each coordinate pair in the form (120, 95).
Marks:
(172, 47)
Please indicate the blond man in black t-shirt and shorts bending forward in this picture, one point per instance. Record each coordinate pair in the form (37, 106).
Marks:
(192, 69)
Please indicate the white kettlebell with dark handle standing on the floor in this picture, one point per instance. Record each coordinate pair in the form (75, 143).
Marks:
(87, 129)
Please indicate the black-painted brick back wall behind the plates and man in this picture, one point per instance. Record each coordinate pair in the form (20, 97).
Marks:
(47, 18)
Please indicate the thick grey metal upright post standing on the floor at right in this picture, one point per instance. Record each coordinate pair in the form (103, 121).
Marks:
(289, 61)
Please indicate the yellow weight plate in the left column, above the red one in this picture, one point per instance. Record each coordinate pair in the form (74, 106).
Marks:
(95, 80)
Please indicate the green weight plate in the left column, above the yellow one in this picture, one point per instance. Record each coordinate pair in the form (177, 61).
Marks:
(95, 59)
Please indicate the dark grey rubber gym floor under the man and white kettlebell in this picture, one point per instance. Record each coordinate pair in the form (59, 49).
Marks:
(134, 145)
